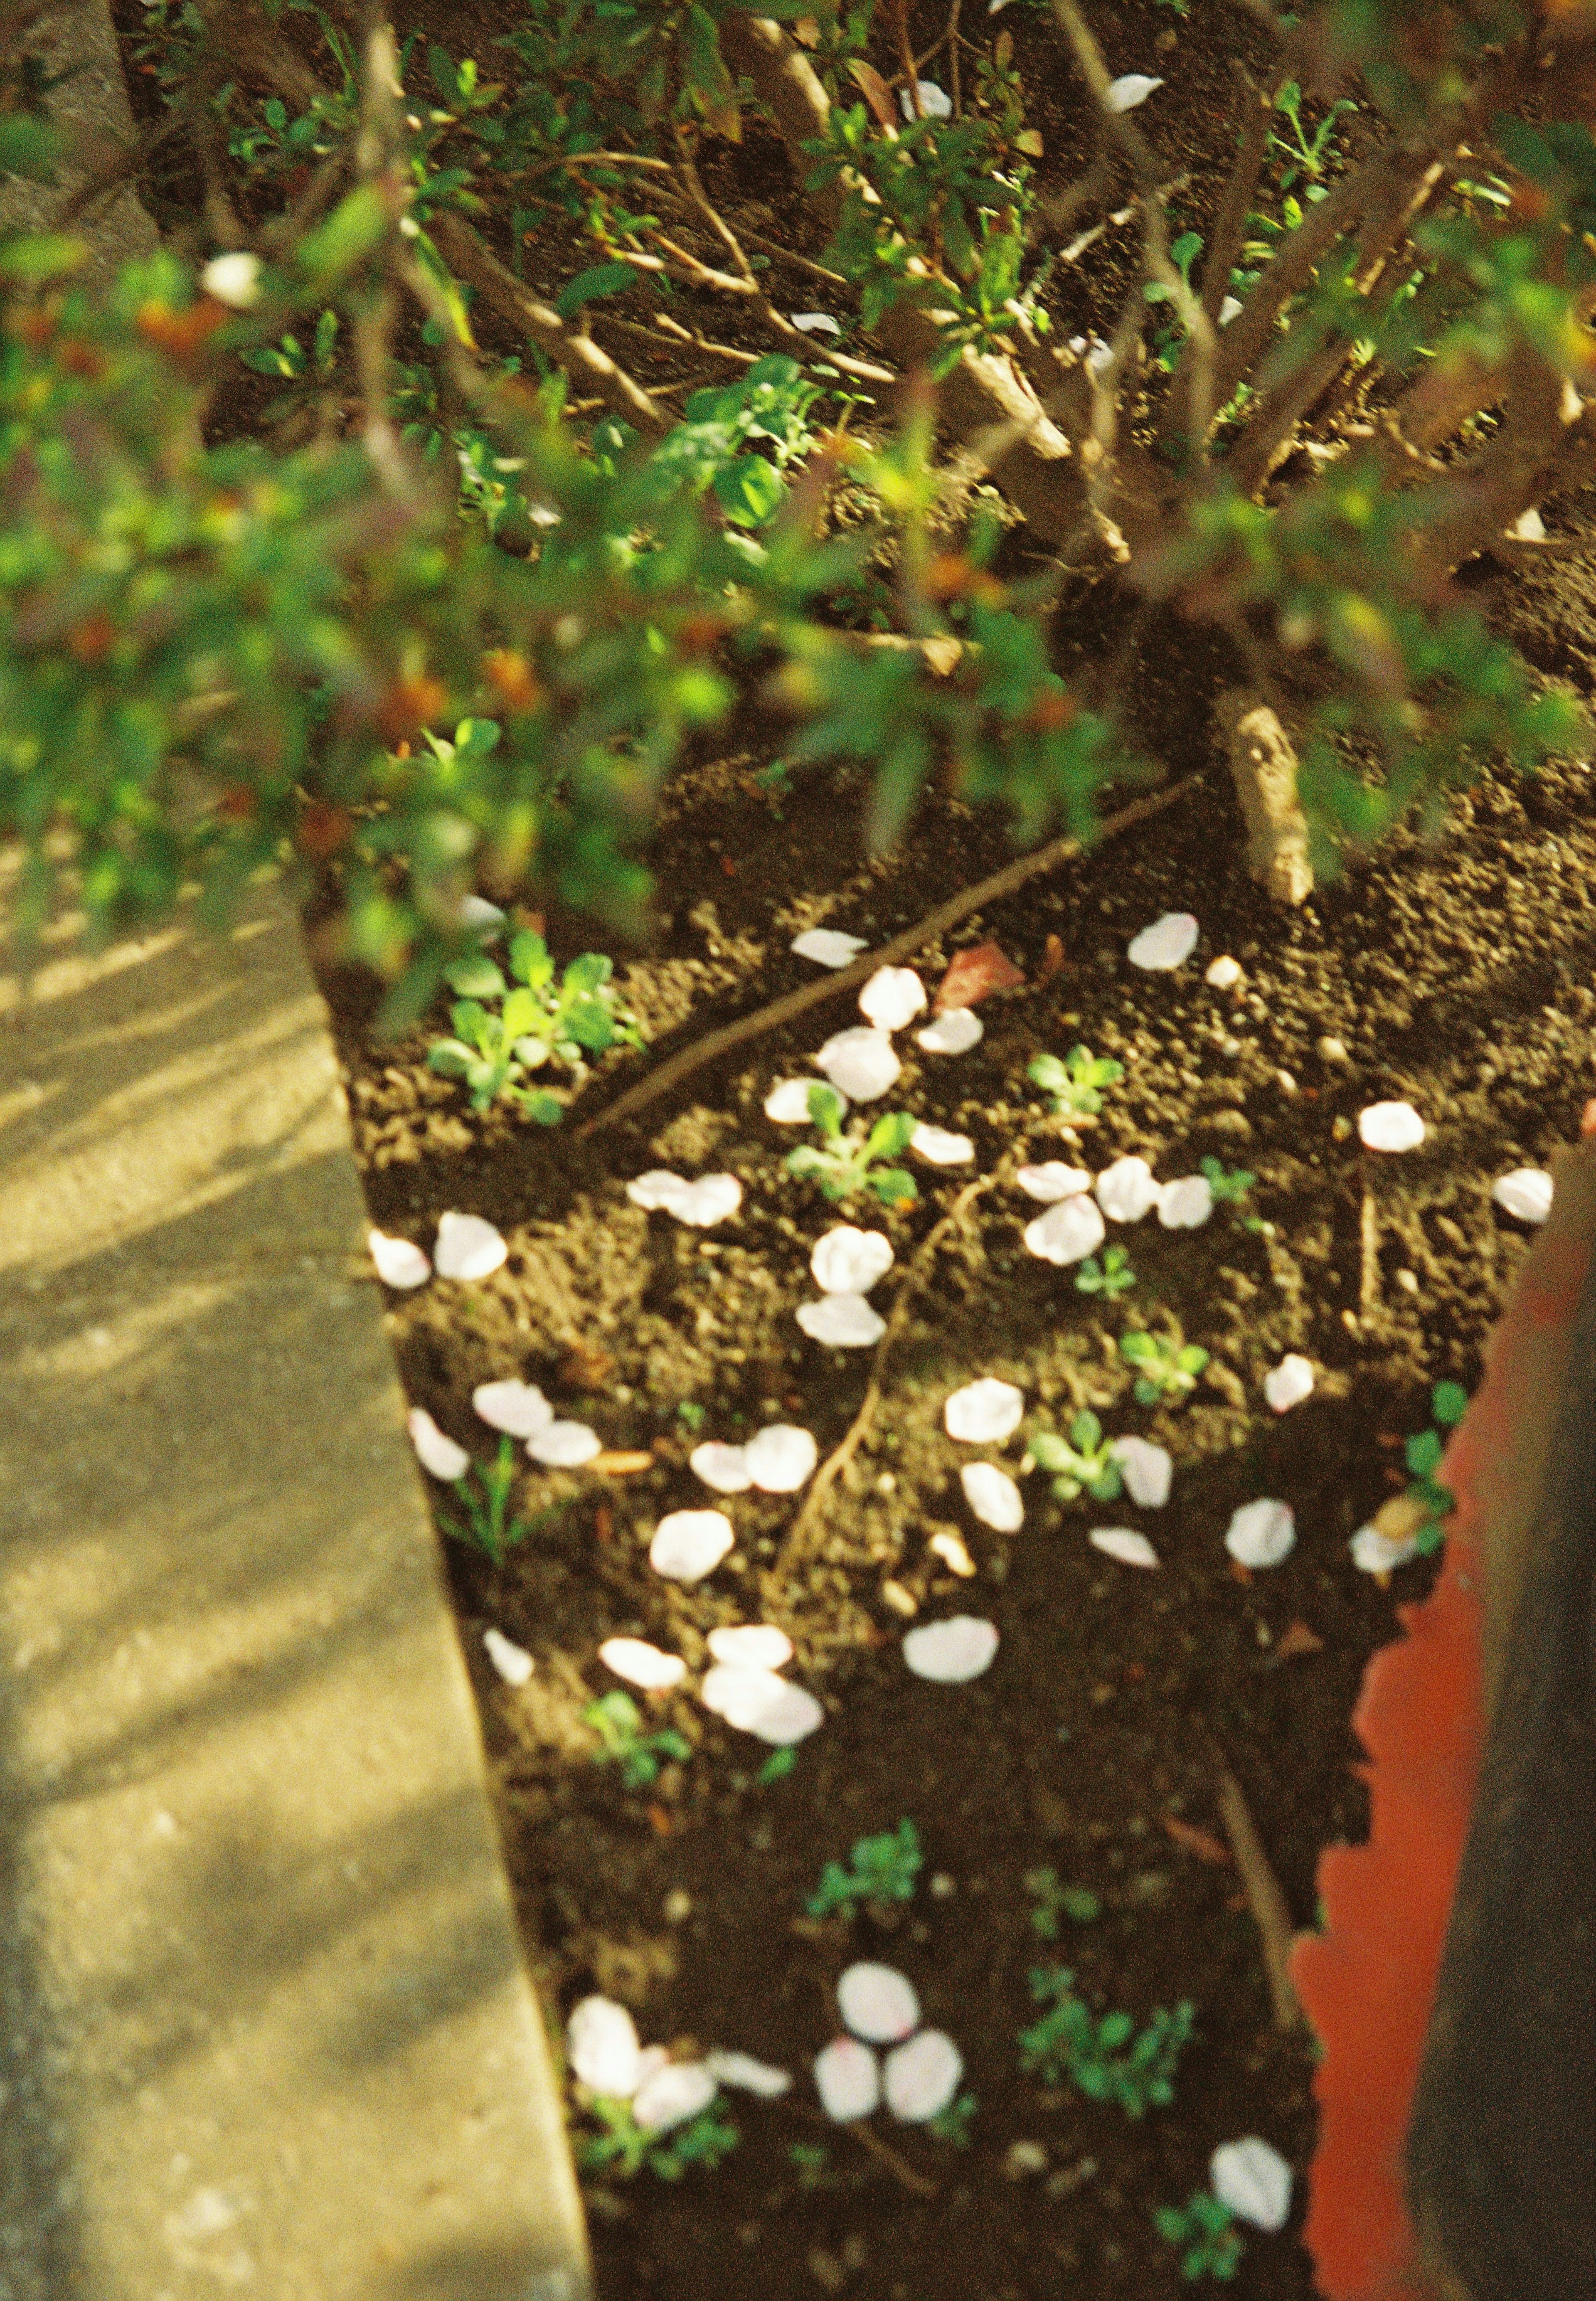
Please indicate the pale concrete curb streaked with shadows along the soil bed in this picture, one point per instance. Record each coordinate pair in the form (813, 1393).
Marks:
(266, 2021)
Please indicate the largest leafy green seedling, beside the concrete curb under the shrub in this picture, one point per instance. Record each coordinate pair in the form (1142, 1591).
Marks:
(535, 1025)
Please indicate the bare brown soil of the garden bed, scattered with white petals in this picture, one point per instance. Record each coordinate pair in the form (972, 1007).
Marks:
(1452, 970)
